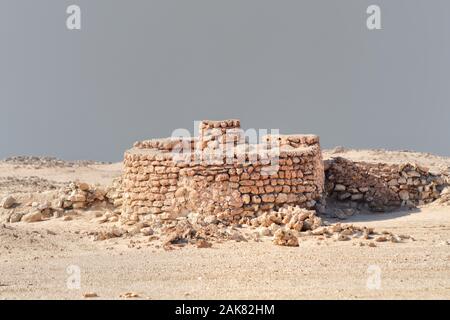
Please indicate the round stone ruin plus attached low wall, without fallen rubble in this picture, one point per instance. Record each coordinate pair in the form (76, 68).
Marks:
(219, 173)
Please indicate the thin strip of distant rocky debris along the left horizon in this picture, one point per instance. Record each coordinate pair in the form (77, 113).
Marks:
(48, 162)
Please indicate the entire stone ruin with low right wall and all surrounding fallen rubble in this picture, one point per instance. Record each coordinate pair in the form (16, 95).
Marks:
(200, 189)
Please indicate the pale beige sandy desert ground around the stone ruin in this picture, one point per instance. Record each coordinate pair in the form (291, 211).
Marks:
(34, 257)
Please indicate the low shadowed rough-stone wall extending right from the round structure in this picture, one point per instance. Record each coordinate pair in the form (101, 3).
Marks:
(380, 186)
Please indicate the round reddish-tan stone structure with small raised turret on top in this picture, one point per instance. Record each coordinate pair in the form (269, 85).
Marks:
(218, 173)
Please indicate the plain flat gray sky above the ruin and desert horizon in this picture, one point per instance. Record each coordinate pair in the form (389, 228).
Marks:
(139, 69)
